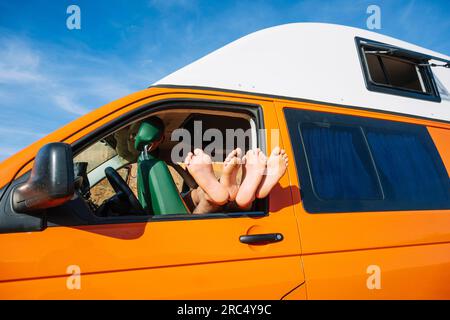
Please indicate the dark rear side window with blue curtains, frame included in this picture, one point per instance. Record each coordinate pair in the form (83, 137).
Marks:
(350, 164)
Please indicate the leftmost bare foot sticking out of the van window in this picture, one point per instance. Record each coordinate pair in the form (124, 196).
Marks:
(200, 167)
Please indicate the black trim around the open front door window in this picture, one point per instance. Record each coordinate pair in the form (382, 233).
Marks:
(78, 216)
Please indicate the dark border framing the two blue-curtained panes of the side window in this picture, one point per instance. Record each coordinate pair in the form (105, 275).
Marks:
(311, 203)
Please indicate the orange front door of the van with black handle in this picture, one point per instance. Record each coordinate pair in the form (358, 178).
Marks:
(197, 257)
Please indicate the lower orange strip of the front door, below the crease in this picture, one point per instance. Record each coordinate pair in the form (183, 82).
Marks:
(246, 279)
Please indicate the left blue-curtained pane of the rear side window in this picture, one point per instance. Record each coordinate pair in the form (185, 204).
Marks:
(340, 164)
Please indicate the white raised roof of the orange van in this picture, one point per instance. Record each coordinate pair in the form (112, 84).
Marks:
(312, 61)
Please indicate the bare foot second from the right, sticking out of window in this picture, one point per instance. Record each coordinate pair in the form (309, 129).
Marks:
(255, 165)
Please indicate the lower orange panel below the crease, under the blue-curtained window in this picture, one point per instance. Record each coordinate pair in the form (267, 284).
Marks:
(409, 272)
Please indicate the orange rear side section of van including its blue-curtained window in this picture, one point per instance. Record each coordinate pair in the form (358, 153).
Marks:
(374, 217)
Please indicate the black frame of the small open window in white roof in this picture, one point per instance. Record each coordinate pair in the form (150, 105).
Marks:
(425, 71)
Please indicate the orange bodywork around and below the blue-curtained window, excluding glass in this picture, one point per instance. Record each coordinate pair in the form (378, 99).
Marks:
(343, 251)
